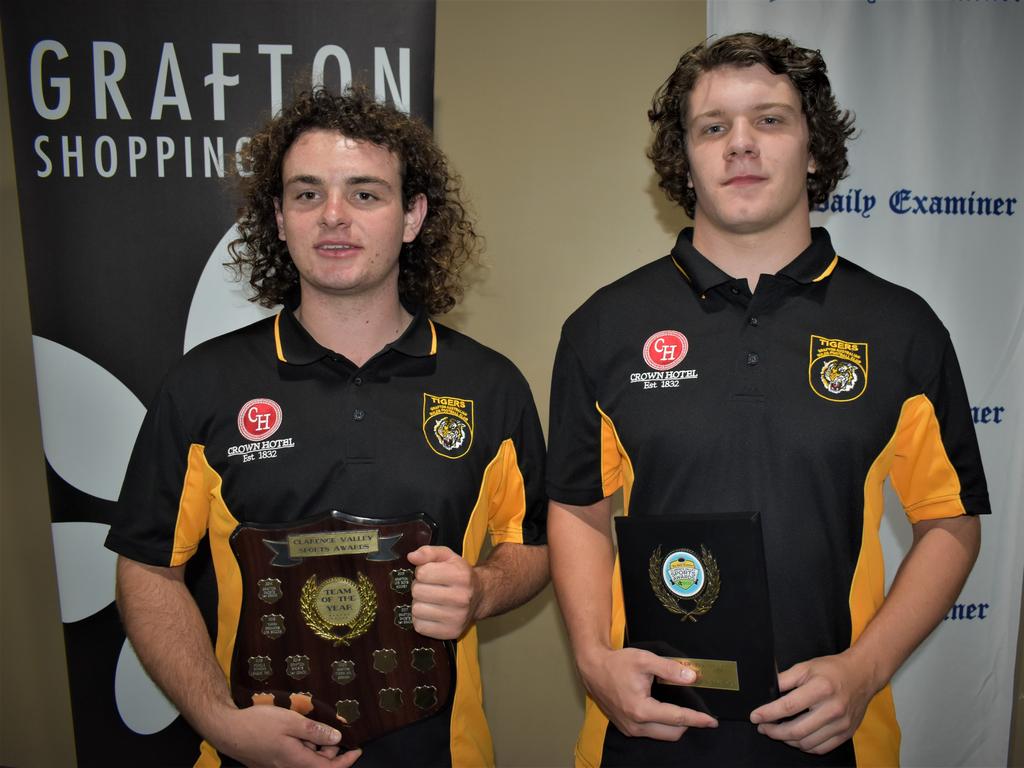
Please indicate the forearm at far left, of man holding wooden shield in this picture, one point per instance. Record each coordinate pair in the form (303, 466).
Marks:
(167, 632)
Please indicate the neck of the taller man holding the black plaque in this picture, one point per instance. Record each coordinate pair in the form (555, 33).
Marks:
(751, 255)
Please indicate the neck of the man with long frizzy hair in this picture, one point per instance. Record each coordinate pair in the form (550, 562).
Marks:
(356, 327)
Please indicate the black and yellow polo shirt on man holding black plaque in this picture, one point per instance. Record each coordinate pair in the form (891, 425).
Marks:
(693, 396)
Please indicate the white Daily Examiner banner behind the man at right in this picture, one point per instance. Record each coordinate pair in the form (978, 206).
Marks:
(935, 202)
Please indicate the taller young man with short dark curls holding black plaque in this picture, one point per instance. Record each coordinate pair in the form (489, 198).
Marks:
(755, 370)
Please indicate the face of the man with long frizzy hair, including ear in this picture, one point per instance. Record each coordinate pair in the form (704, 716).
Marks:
(343, 218)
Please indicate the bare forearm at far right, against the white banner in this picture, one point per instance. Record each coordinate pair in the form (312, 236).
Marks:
(926, 585)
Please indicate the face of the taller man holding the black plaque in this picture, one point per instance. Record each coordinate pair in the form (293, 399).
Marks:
(747, 141)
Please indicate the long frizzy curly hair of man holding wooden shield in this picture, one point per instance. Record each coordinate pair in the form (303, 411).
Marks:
(431, 269)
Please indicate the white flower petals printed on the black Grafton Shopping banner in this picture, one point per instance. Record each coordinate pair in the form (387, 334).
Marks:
(90, 424)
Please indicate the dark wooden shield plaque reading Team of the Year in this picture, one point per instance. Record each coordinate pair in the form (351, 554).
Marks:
(326, 626)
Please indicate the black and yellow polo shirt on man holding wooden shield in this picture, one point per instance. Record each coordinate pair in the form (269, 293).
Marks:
(265, 425)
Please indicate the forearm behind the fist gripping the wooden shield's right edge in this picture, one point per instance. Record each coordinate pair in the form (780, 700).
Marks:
(511, 575)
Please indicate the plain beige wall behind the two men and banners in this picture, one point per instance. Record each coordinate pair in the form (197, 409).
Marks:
(542, 107)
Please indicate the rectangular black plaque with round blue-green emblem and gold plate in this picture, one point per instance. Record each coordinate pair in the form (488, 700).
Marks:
(696, 588)
